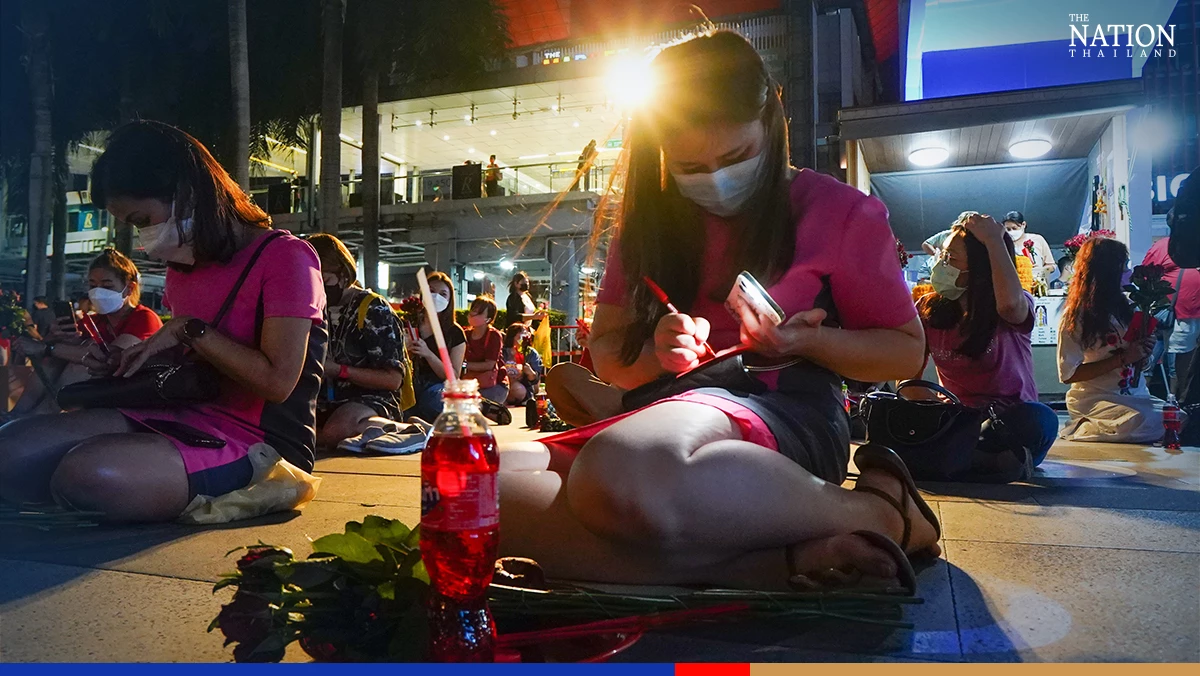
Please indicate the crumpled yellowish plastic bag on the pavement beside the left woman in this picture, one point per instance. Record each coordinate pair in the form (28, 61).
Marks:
(278, 486)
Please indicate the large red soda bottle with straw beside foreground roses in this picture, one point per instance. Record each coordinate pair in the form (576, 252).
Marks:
(460, 527)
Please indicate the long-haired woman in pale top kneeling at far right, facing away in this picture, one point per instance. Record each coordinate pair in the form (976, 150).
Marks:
(1096, 357)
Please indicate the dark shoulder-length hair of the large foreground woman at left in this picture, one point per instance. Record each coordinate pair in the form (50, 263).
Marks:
(154, 160)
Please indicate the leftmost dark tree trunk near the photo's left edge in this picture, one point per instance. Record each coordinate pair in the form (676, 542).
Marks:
(35, 25)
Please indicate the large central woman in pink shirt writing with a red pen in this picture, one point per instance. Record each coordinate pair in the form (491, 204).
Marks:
(716, 486)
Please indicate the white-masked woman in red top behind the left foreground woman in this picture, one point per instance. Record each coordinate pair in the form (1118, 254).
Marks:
(70, 355)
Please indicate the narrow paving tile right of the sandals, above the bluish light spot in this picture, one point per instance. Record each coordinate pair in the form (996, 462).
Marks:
(1119, 529)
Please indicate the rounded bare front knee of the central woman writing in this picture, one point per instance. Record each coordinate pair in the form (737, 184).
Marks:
(626, 493)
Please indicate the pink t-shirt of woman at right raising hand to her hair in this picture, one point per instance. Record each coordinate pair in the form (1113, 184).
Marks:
(1003, 375)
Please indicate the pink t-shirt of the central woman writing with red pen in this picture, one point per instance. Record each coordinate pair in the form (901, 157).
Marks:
(842, 237)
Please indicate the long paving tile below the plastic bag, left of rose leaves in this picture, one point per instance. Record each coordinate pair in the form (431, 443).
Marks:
(193, 553)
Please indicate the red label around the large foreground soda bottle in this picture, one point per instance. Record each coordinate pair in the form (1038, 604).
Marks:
(464, 502)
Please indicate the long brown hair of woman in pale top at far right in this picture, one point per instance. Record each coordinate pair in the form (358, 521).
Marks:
(1095, 297)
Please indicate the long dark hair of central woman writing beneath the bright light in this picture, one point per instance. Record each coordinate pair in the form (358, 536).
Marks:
(712, 79)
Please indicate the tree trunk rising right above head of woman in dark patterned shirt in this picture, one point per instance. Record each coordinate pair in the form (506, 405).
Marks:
(333, 25)
